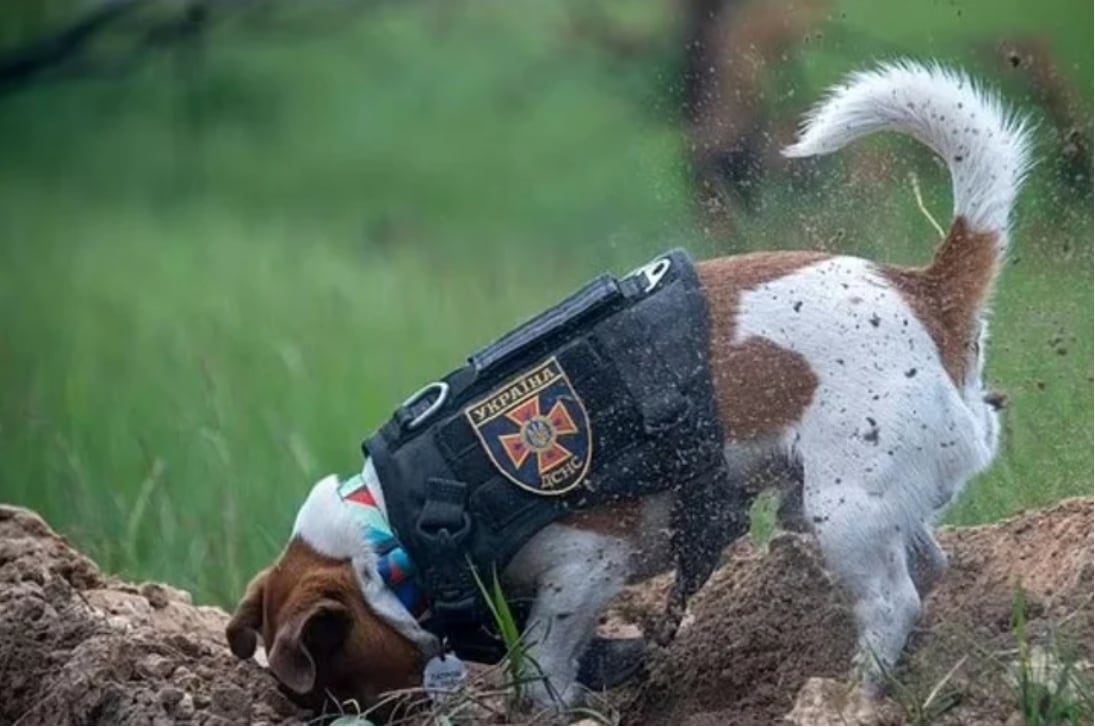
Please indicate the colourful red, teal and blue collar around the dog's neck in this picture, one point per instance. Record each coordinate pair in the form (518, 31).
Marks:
(394, 563)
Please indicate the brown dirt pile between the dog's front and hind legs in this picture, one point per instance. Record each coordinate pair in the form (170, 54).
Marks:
(766, 622)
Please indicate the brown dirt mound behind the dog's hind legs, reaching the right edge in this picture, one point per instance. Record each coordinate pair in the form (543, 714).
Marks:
(771, 619)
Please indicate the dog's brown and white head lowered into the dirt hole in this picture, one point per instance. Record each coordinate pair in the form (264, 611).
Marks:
(327, 625)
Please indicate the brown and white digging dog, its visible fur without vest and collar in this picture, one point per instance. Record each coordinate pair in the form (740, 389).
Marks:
(868, 378)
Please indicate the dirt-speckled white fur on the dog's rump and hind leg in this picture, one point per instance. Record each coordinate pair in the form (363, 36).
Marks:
(887, 442)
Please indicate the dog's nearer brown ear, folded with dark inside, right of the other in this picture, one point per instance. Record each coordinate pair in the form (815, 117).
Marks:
(312, 637)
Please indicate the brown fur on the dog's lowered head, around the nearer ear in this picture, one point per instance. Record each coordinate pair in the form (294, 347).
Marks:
(373, 659)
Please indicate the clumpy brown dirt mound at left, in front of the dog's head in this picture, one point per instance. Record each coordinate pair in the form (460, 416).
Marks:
(78, 648)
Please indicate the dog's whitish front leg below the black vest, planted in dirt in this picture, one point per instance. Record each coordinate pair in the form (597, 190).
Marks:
(575, 573)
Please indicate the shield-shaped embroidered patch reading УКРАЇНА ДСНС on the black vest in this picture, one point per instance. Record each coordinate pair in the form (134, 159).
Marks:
(536, 431)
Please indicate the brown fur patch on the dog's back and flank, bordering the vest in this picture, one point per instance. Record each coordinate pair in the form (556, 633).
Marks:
(762, 387)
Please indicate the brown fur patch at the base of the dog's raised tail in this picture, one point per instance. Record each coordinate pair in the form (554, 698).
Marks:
(949, 295)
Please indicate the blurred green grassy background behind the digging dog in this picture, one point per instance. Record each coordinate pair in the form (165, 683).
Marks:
(236, 234)
